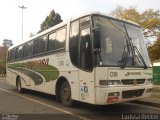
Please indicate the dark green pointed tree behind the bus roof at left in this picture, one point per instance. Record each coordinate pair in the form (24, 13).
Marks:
(51, 20)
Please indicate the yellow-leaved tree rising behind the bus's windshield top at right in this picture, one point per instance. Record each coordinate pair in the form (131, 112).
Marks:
(148, 20)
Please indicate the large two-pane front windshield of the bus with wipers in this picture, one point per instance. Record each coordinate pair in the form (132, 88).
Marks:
(122, 44)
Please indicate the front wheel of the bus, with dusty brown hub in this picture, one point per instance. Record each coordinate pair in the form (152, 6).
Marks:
(65, 94)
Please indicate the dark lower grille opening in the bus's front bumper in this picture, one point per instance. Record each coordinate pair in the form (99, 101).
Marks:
(132, 93)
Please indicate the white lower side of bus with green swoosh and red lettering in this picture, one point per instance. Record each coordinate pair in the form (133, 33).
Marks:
(41, 73)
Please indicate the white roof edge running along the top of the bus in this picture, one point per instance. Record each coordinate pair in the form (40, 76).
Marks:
(72, 19)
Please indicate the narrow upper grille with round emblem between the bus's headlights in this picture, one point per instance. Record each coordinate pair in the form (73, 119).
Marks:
(132, 81)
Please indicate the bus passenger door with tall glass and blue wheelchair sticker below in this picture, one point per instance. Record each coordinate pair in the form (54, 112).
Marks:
(86, 74)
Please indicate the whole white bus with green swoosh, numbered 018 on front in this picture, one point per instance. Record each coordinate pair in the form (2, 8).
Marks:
(93, 58)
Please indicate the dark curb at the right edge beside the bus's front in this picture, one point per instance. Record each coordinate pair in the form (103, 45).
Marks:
(154, 104)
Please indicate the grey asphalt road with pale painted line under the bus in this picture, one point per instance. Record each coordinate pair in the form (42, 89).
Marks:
(38, 106)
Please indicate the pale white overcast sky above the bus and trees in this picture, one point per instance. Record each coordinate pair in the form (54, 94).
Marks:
(37, 10)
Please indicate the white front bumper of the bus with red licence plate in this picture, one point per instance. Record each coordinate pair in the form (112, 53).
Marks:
(111, 95)
